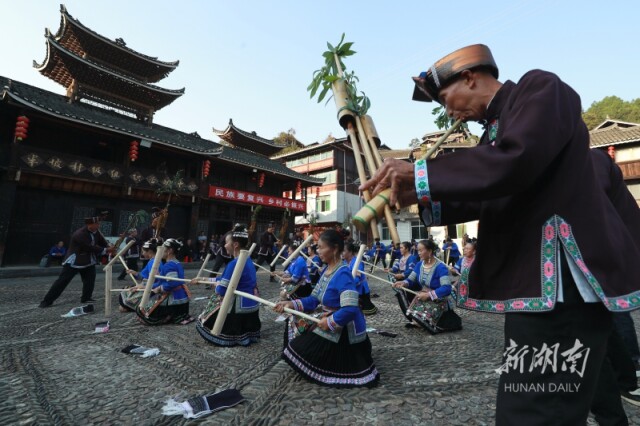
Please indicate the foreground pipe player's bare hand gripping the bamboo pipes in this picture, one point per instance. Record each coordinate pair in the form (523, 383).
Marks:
(397, 175)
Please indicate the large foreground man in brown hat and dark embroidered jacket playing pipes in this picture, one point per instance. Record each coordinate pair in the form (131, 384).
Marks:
(554, 251)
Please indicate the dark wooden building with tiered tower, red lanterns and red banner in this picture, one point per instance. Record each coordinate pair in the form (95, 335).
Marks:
(97, 149)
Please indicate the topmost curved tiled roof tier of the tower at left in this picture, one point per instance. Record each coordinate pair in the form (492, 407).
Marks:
(111, 51)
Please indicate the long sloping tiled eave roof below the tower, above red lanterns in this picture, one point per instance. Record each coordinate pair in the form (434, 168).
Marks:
(56, 105)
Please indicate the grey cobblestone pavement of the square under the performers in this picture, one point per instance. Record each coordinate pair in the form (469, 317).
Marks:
(58, 371)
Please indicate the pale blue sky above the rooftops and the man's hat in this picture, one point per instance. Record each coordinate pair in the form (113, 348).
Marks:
(251, 61)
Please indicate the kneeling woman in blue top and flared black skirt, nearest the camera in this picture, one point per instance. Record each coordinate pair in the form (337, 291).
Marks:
(337, 351)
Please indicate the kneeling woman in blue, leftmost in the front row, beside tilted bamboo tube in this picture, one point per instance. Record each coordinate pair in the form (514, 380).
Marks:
(169, 302)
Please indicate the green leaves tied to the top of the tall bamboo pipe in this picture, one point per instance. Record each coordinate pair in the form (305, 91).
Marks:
(324, 77)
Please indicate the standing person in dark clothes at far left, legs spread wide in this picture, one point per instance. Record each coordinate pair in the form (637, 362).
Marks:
(86, 247)
